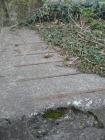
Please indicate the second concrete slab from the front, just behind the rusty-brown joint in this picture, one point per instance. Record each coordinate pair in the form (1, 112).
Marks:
(54, 85)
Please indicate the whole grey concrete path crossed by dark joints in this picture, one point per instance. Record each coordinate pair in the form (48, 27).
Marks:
(30, 82)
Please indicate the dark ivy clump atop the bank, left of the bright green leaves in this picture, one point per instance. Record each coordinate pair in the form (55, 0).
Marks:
(52, 11)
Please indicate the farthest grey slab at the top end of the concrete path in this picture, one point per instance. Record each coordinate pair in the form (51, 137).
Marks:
(22, 36)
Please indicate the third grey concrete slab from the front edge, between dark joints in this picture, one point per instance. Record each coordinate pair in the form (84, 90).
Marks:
(43, 70)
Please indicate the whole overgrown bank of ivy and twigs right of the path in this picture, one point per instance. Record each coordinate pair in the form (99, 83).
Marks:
(78, 31)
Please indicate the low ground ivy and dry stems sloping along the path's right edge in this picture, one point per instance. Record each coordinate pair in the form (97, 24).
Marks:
(91, 58)
